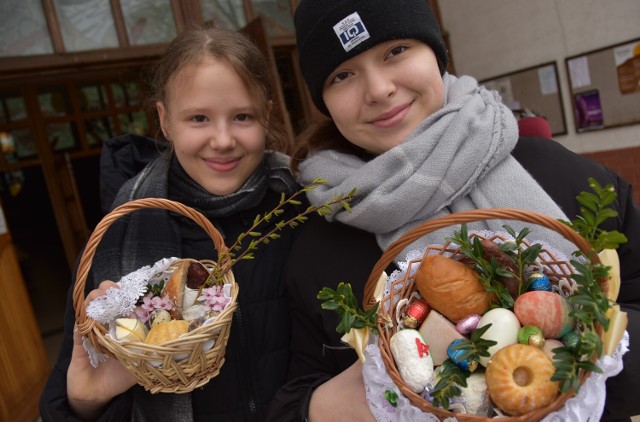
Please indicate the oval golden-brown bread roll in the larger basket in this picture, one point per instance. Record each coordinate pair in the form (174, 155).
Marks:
(452, 288)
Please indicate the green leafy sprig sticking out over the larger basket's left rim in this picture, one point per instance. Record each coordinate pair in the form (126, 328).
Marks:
(344, 302)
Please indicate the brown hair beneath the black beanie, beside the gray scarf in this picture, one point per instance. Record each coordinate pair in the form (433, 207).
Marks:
(320, 135)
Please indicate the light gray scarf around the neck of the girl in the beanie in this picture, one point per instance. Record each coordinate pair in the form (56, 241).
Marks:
(457, 159)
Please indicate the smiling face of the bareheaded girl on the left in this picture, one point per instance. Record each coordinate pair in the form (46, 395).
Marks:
(214, 126)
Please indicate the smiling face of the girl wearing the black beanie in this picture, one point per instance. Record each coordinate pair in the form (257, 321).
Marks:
(378, 97)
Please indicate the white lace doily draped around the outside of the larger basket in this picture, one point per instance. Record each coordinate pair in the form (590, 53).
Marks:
(587, 405)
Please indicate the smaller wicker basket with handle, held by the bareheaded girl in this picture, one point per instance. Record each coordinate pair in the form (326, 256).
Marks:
(178, 366)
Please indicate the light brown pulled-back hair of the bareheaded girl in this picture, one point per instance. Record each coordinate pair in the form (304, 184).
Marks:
(194, 45)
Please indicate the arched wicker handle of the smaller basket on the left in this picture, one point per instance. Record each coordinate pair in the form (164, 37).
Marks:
(86, 324)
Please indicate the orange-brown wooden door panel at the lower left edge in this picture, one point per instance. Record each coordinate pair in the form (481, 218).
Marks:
(24, 366)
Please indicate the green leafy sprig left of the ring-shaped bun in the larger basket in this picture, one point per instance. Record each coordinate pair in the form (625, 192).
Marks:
(452, 377)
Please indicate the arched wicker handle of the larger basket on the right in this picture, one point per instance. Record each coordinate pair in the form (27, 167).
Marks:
(468, 217)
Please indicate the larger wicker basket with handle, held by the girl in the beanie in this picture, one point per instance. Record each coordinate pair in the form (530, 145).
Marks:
(557, 271)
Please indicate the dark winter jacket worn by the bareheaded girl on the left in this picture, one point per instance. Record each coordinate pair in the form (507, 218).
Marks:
(257, 353)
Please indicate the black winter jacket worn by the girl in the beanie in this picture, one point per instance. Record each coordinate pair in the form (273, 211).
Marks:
(325, 254)
